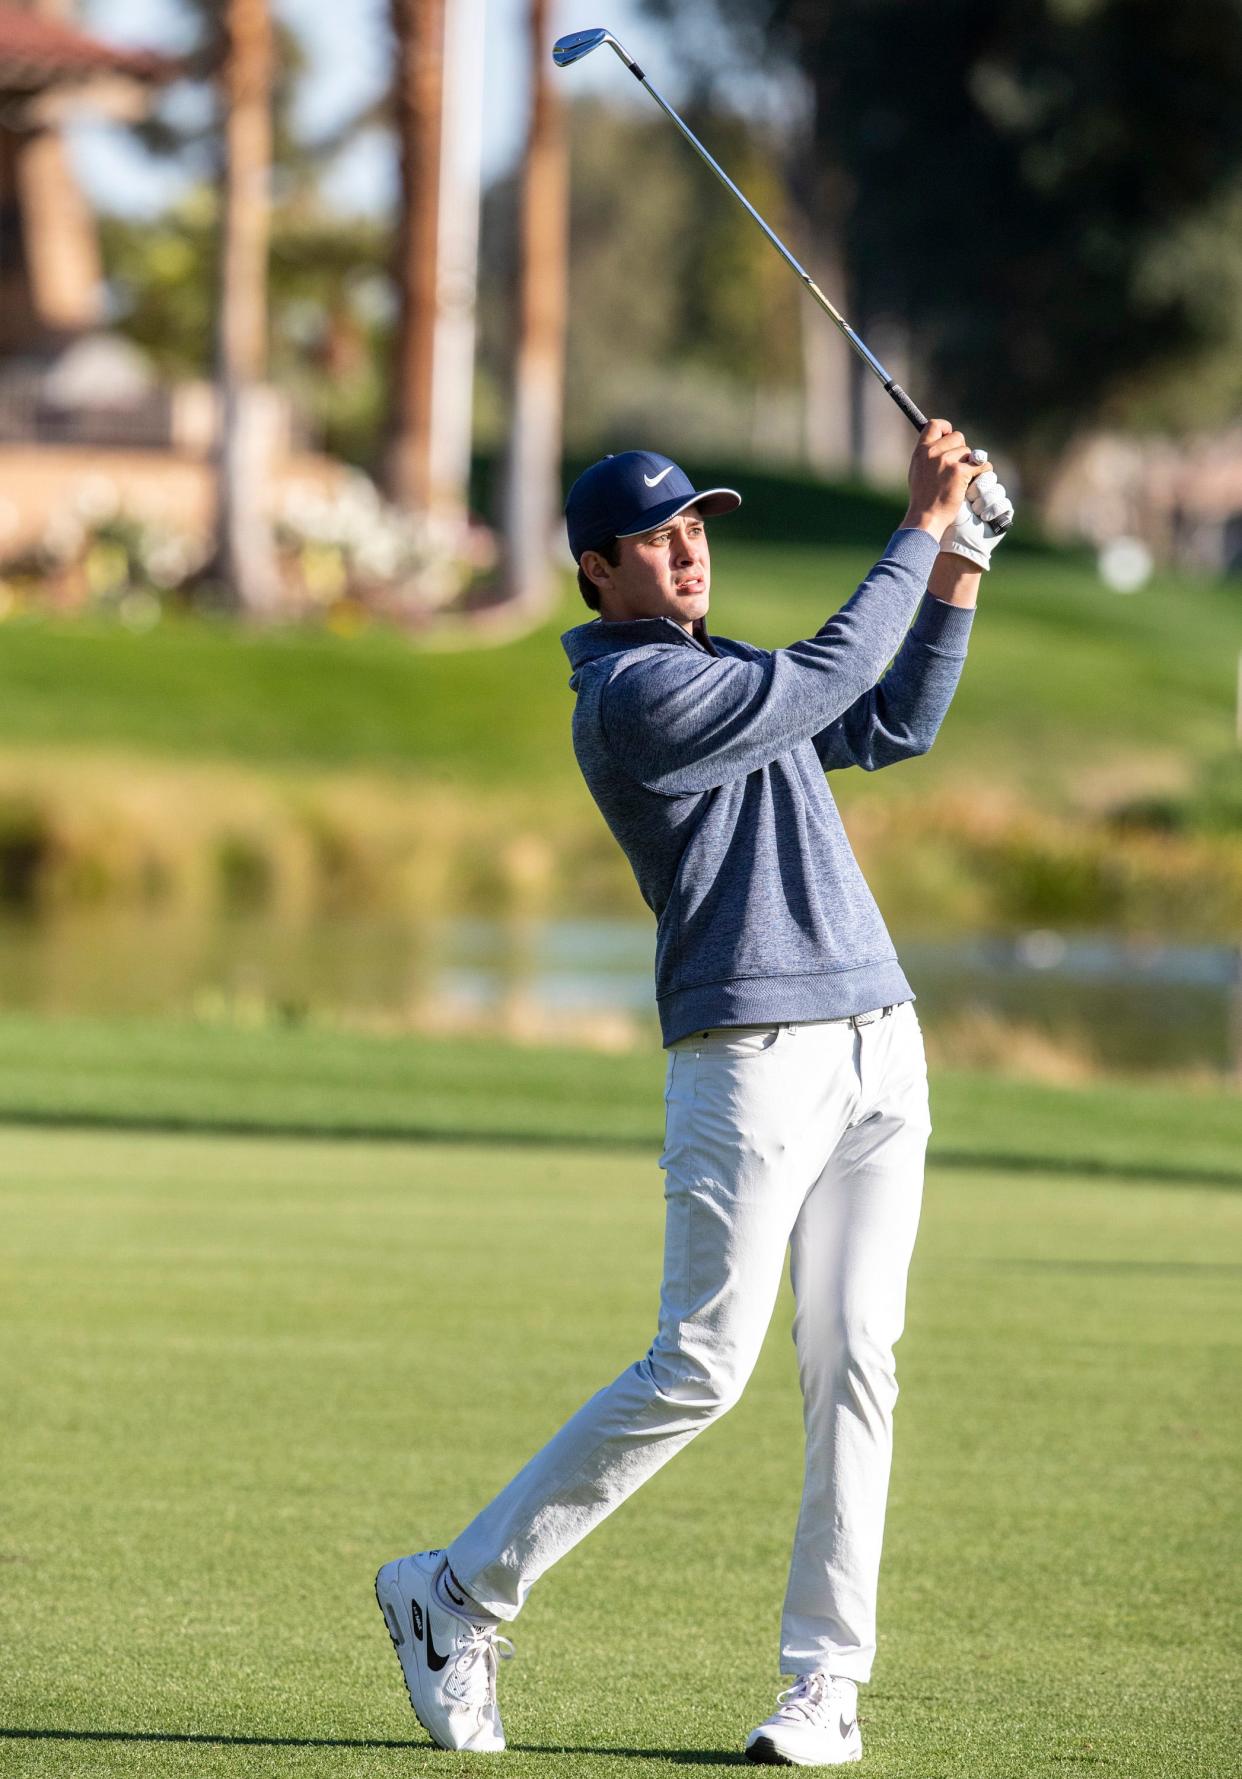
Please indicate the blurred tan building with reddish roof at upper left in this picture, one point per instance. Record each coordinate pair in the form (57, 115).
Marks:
(79, 405)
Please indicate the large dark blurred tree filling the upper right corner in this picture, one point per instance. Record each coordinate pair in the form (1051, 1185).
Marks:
(1019, 186)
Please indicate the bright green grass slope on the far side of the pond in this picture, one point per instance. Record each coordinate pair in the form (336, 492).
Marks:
(1065, 679)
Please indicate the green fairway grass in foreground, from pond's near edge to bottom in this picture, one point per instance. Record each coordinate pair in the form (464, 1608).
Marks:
(280, 1307)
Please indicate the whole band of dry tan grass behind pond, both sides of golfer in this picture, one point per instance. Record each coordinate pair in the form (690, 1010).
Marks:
(200, 837)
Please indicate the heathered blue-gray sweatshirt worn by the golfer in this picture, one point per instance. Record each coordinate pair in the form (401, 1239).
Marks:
(707, 759)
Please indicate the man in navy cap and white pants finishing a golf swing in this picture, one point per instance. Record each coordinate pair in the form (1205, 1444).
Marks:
(796, 1077)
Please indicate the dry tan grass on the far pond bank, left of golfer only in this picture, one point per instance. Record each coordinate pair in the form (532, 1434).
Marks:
(79, 830)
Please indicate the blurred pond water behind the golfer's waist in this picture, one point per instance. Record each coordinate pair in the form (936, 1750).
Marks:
(1131, 1006)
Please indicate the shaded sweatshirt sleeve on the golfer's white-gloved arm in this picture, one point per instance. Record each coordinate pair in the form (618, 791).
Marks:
(901, 716)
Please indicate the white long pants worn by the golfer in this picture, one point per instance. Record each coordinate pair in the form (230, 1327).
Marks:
(802, 1136)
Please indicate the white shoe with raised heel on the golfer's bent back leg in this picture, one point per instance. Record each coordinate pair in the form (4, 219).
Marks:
(448, 1659)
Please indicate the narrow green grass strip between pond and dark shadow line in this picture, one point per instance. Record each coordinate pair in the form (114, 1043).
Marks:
(182, 1075)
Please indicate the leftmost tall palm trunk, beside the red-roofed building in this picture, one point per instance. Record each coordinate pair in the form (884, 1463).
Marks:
(246, 558)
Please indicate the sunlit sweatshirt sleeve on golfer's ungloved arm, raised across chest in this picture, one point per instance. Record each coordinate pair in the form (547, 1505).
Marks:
(684, 723)
